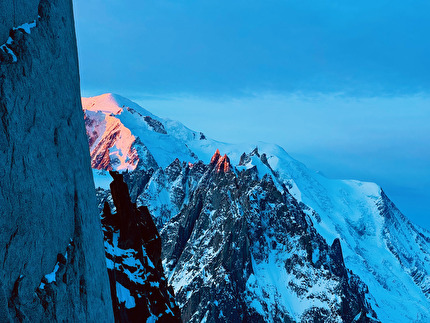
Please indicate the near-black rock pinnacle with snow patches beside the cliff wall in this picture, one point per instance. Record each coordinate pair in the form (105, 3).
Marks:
(139, 288)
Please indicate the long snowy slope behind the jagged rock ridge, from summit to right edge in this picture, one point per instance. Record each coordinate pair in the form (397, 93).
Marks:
(390, 254)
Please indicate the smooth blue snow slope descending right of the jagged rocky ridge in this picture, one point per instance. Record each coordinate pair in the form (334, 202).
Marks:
(379, 243)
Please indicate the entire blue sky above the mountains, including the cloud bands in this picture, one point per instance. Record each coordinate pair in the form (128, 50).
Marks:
(344, 86)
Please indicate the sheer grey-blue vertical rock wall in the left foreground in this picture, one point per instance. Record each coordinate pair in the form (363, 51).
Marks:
(52, 265)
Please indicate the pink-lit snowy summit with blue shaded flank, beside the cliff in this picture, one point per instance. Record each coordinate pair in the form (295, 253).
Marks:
(114, 123)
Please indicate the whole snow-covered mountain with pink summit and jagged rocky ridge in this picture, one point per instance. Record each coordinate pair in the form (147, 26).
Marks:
(257, 225)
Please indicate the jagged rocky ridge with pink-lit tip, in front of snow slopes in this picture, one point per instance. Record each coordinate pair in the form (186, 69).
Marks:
(242, 250)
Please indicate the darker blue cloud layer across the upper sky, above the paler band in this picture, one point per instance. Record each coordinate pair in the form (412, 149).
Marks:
(236, 47)
